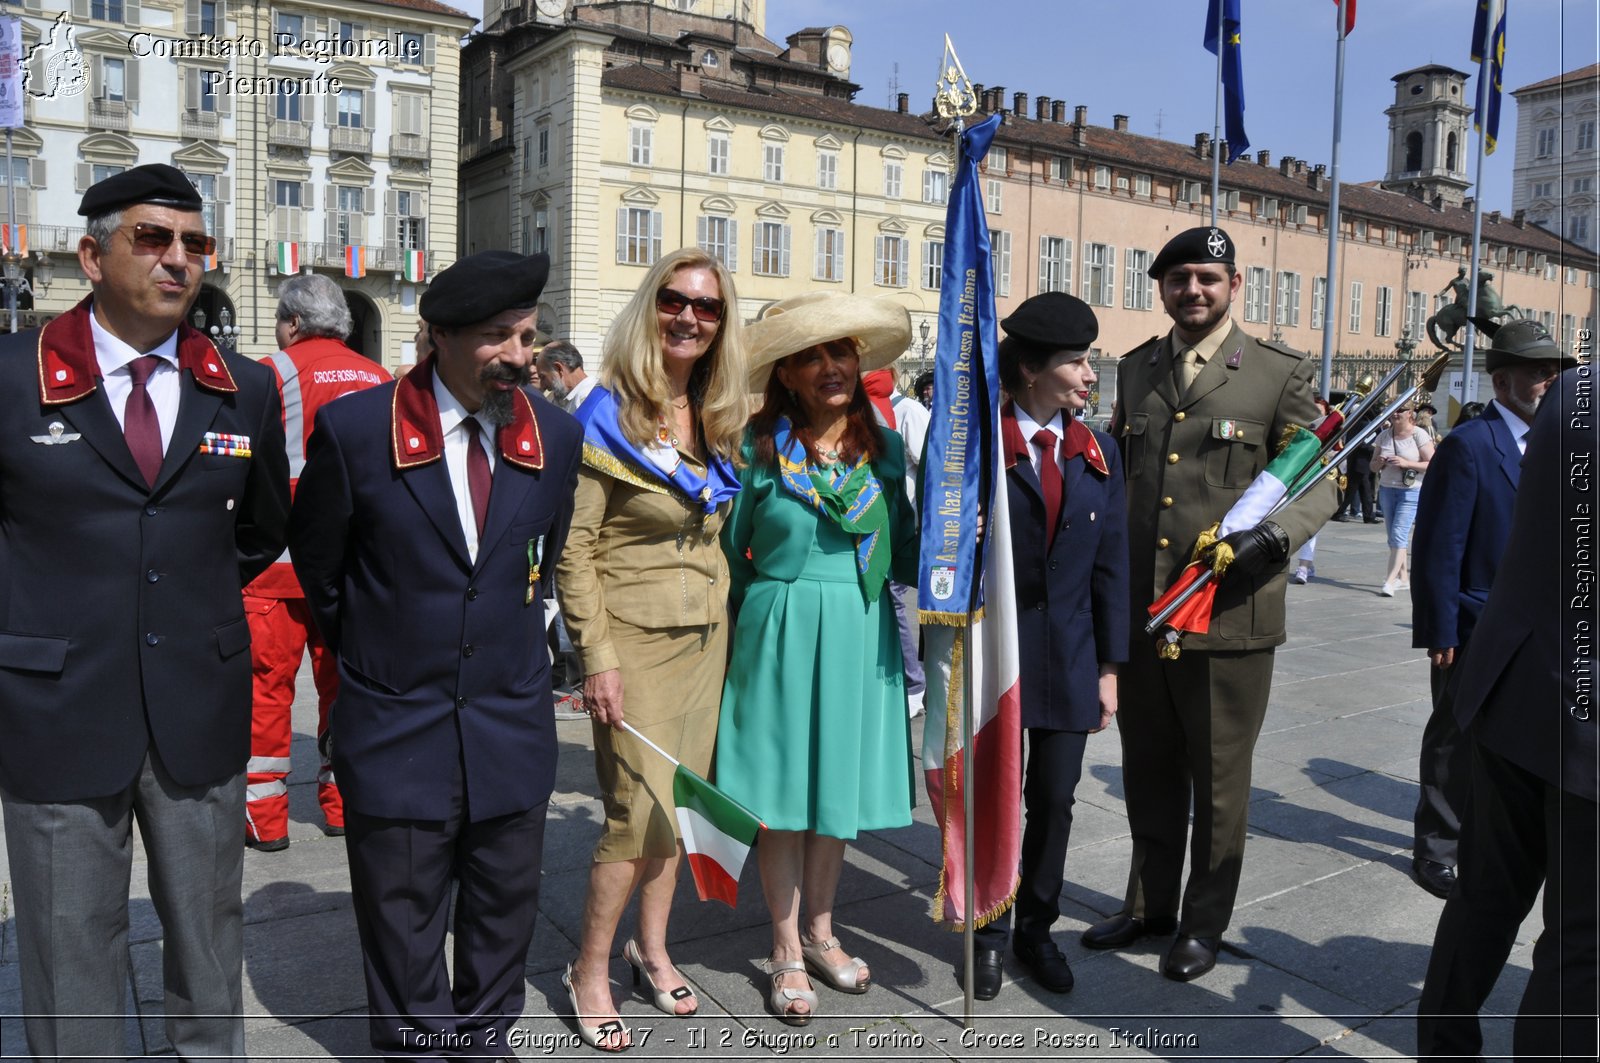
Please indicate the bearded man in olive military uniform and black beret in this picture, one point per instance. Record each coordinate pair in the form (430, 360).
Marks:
(1199, 414)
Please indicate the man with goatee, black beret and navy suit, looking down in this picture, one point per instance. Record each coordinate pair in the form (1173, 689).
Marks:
(426, 526)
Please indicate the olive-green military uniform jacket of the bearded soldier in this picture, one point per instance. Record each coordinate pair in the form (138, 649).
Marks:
(1188, 462)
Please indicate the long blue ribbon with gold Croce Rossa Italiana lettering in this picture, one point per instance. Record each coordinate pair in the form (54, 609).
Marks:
(958, 471)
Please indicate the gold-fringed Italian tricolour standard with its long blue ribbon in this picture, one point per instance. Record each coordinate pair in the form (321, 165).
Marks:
(967, 598)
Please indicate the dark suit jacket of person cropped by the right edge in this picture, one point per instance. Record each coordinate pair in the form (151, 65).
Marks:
(1529, 686)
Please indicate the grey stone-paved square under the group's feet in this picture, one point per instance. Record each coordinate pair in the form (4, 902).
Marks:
(1326, 957)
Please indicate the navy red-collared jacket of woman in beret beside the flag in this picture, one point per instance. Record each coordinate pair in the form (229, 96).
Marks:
(1073, 596)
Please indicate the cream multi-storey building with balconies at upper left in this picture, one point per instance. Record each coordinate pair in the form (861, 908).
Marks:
(308, 122)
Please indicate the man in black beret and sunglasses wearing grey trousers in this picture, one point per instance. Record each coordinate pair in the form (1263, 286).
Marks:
(143, 483)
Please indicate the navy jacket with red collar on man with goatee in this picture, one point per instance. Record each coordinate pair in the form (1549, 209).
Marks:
(446, 683)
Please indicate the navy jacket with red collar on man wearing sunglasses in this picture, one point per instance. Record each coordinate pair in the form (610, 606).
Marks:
(122, 614)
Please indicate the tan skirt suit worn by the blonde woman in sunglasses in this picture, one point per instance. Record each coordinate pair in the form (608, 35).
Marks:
(644, 587)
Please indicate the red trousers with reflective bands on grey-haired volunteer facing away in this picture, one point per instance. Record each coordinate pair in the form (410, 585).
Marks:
(281, 630)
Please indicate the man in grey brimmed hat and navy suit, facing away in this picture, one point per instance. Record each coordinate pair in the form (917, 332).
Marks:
(1463, 526)
